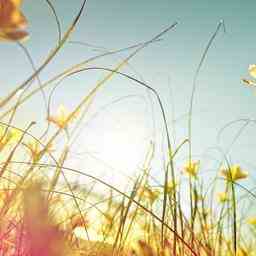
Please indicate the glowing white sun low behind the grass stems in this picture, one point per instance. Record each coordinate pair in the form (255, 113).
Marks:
(114, 152)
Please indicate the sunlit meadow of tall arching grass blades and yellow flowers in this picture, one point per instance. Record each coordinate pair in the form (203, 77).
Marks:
(44, 213)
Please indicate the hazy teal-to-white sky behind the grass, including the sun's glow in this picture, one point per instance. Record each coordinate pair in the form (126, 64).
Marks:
(120, 124)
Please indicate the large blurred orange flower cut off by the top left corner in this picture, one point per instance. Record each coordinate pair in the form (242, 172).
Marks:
(12, 21)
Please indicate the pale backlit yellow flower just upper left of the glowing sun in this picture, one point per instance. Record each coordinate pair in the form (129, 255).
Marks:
(62, 118)
